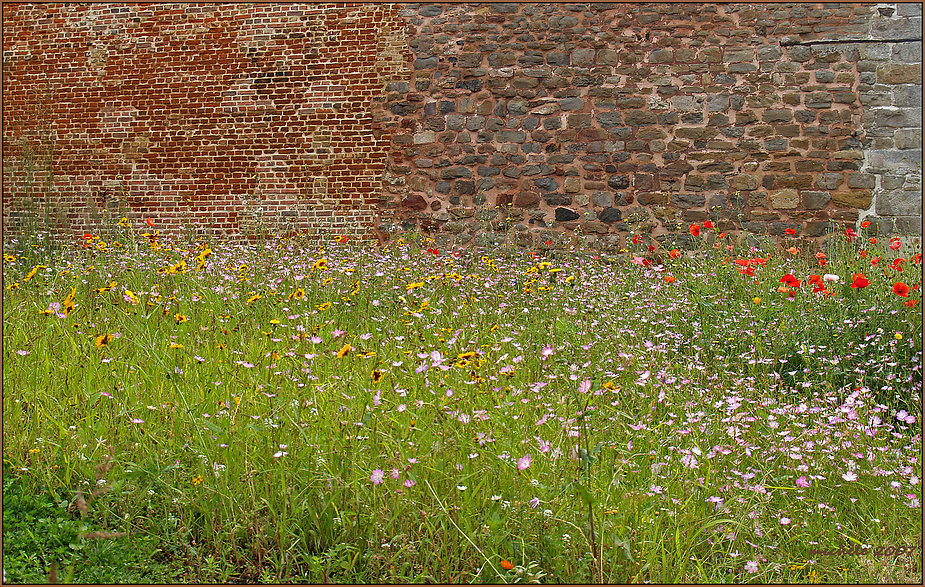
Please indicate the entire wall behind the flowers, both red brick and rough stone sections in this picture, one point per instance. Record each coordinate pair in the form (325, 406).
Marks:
(472, 121)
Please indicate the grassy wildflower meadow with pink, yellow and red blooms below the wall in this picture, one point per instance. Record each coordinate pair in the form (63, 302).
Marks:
(288, 412)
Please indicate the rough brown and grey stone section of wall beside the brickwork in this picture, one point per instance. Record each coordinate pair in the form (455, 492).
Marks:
(603, 119)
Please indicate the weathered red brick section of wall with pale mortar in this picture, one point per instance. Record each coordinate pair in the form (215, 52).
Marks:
(220, 116)
